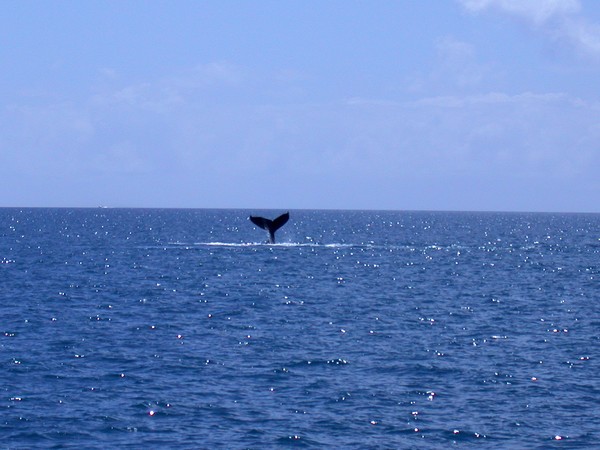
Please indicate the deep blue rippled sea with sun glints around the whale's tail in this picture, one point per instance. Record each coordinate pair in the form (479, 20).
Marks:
(137, 328)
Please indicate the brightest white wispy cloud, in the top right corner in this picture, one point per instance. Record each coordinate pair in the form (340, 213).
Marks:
(561, 20)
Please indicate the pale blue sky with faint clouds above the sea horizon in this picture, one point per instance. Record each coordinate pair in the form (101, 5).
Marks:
(476, 105)
